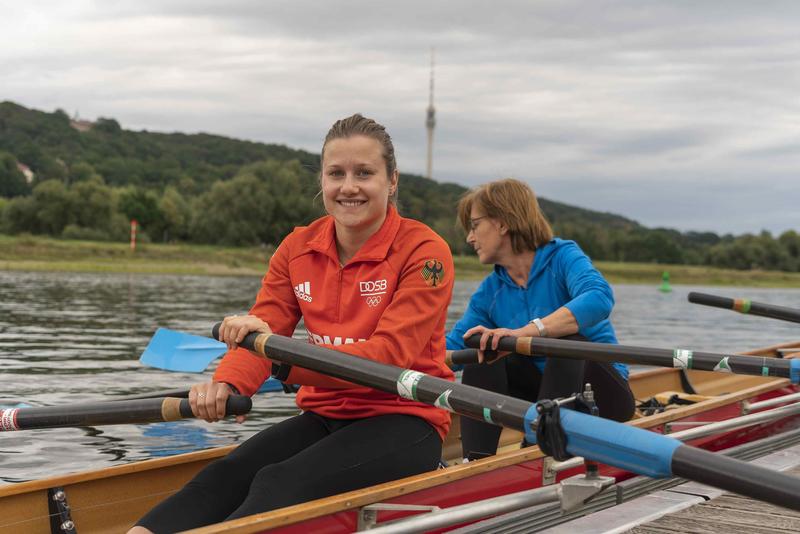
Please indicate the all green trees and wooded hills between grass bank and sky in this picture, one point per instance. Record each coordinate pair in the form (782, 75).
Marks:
(211, 189)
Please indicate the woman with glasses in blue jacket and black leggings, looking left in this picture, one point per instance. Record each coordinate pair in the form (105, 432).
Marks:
(541, 286)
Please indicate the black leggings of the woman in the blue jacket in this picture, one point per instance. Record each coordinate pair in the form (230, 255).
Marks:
(519, 377)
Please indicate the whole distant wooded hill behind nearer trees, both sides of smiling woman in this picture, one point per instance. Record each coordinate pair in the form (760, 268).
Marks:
(50, 144)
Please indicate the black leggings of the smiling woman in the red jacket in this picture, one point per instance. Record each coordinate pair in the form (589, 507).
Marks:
(302, 458)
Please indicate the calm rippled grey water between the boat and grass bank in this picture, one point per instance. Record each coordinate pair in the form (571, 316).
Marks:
(68, 338)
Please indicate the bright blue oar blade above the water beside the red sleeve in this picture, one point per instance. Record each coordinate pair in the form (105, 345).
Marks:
(178, 351)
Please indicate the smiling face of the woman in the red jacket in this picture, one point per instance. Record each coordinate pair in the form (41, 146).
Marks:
(355, 184)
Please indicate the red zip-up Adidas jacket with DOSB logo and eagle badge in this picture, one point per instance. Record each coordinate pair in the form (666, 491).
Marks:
(388, 304)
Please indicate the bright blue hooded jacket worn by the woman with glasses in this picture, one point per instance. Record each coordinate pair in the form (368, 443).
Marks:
(561, 275)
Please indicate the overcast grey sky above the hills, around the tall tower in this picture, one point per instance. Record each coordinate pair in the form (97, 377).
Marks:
(676, 114)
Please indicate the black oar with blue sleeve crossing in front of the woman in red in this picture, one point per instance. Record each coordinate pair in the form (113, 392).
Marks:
(606, 441)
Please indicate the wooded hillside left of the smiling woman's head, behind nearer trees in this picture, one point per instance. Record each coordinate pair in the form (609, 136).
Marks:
(49, 144)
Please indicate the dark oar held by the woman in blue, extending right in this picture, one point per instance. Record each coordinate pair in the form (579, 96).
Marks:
(677, 358)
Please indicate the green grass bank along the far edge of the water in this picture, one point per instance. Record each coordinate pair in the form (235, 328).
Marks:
(34, 253)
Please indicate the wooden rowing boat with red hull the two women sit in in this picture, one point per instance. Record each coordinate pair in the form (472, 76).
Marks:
(111, 499)
